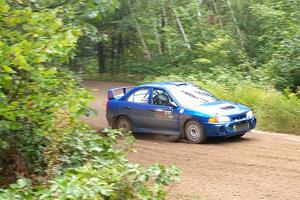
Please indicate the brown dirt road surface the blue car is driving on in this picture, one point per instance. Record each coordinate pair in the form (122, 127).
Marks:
(259, 166)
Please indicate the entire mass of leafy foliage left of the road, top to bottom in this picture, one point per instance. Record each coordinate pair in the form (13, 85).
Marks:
(46, 152)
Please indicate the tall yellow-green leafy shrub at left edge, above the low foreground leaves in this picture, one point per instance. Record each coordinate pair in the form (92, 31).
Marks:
(35, 92)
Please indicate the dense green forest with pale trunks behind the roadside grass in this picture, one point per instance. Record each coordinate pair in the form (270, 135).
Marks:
(234, 38)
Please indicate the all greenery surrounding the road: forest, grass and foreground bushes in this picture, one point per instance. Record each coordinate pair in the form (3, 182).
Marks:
(244, 51)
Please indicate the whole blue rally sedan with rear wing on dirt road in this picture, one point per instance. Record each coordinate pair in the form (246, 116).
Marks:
(178, 109)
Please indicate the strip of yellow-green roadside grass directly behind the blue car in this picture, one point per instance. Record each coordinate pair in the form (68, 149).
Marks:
(275, 111)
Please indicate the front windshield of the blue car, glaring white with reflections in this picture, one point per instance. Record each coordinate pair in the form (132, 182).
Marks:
(190, 95)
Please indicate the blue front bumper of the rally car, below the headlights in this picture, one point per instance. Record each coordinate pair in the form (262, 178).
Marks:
(229, 128)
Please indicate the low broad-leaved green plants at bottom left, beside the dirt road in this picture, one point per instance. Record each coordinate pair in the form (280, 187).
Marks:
(97, 169)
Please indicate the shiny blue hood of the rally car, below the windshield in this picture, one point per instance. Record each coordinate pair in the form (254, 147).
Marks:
(220, 108)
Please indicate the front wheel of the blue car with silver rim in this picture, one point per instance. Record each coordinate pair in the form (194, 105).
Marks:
(194, 132)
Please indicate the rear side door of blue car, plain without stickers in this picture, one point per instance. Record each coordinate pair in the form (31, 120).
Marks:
(136, 107)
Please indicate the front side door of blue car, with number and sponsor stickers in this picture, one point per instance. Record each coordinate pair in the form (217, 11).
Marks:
(163, 116)
